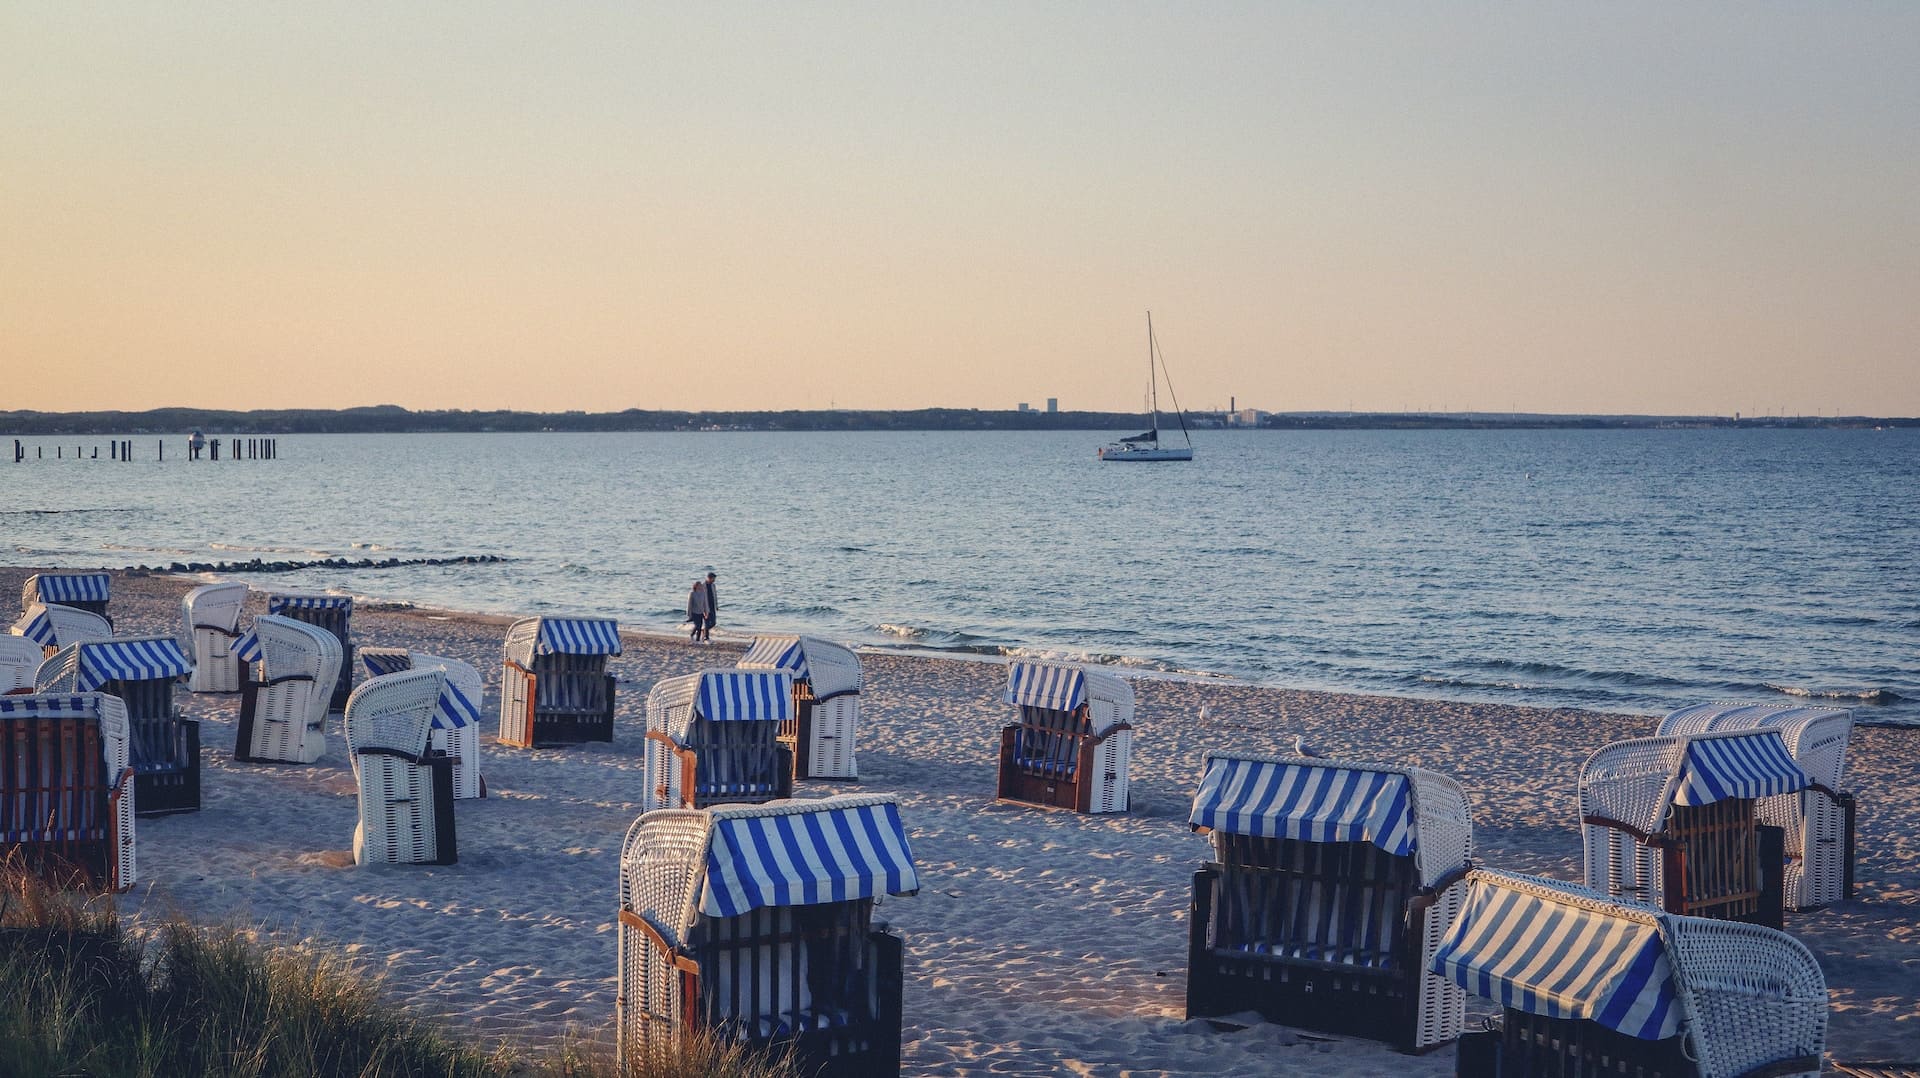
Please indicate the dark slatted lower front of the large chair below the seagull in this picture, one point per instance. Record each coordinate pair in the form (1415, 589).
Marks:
(1255, 910)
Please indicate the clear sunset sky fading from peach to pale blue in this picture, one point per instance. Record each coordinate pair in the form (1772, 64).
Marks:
(1579, 208)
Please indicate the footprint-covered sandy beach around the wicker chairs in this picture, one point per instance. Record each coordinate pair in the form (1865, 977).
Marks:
(1042, 943)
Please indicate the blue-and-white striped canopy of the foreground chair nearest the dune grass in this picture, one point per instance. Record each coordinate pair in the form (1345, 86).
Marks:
(804, 854)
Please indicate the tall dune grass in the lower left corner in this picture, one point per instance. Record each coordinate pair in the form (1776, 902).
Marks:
(84, 996)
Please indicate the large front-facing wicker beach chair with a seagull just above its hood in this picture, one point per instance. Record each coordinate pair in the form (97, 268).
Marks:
(1332, 887)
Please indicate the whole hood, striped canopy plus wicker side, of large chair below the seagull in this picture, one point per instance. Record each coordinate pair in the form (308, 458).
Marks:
(1403, 810)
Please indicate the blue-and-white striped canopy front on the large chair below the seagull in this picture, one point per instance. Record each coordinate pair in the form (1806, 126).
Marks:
(1305, 800)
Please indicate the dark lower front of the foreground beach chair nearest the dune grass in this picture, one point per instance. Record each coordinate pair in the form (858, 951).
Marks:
(853, 973)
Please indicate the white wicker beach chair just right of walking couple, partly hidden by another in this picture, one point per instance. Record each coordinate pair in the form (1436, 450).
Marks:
(827, 702)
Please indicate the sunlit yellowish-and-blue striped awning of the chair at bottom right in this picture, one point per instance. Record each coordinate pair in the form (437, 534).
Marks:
(1562, 960)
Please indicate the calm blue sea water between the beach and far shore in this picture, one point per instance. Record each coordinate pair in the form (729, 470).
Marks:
(1625, 570)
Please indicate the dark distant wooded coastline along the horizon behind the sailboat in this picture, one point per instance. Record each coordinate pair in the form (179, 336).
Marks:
(393, 420)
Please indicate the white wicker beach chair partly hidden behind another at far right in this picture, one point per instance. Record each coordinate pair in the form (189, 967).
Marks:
(1819, 820)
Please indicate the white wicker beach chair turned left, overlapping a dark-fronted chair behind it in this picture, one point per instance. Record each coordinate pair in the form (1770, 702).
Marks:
(293, 670)
